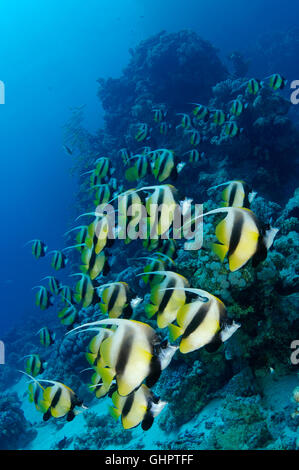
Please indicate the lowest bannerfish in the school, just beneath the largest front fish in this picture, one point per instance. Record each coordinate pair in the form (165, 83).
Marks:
(141, 406)
